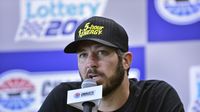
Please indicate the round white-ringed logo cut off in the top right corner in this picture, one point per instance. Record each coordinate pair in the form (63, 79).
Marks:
(180, 12)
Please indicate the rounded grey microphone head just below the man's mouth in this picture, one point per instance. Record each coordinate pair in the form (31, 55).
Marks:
(88, 83)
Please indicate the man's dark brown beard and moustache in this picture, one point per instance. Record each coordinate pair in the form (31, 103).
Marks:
(113, 82)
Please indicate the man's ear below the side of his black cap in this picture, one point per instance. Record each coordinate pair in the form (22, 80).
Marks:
(127, 60)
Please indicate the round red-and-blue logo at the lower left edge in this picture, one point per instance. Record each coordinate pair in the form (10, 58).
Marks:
(17, 93)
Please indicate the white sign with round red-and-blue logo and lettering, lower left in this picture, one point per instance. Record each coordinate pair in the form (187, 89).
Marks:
(23, 91)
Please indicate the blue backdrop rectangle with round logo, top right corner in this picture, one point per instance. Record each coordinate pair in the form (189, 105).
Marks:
(173, 20)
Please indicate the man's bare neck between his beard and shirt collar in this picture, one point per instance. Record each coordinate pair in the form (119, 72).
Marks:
(117, 98)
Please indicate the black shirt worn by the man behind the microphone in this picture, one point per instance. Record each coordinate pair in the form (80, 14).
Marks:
(145, 96)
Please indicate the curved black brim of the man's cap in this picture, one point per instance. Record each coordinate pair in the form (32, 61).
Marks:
(72, 47)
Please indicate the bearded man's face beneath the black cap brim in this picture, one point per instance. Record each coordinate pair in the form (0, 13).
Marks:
(100, 63)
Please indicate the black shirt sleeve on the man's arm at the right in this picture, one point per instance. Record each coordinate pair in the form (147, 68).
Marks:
(166, 98)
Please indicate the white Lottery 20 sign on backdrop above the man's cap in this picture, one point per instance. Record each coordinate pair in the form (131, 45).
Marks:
(44, 20)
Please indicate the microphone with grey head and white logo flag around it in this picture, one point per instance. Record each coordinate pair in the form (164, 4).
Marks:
(87, 98)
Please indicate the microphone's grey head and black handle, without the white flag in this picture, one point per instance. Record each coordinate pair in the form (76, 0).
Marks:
(88, 105)
